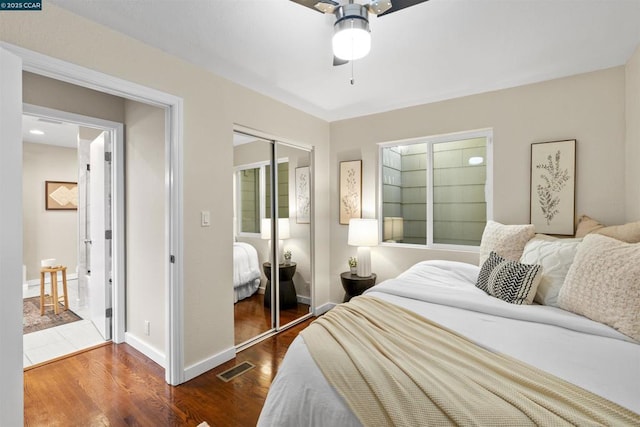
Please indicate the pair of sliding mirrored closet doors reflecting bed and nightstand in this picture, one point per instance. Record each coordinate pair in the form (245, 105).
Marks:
(272, 189)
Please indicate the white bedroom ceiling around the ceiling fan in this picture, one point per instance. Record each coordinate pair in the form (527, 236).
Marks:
(436, 50)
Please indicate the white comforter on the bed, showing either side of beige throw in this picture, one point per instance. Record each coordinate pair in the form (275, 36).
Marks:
(581, 351)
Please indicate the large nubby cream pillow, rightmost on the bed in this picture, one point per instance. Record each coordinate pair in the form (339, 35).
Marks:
(603, 283)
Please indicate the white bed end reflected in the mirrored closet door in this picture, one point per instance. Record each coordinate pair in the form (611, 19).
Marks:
(246, 271)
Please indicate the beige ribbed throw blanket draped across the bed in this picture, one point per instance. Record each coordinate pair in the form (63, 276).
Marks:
(395, 368)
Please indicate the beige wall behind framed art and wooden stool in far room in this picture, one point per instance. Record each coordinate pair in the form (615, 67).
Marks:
(47, 234)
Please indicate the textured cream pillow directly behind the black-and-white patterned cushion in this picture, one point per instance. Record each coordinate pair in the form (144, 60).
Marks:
(506, 240)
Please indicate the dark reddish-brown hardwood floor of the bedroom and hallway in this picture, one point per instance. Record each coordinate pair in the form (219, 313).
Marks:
(115, 385)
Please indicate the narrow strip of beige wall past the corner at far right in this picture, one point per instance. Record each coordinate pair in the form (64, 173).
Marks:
(633, 136)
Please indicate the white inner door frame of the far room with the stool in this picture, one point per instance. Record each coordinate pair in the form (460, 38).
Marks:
(115, 131)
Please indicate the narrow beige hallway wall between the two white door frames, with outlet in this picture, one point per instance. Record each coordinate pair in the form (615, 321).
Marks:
(145, 222)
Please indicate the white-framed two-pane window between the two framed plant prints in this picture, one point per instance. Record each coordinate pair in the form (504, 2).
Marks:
(434, 190)
